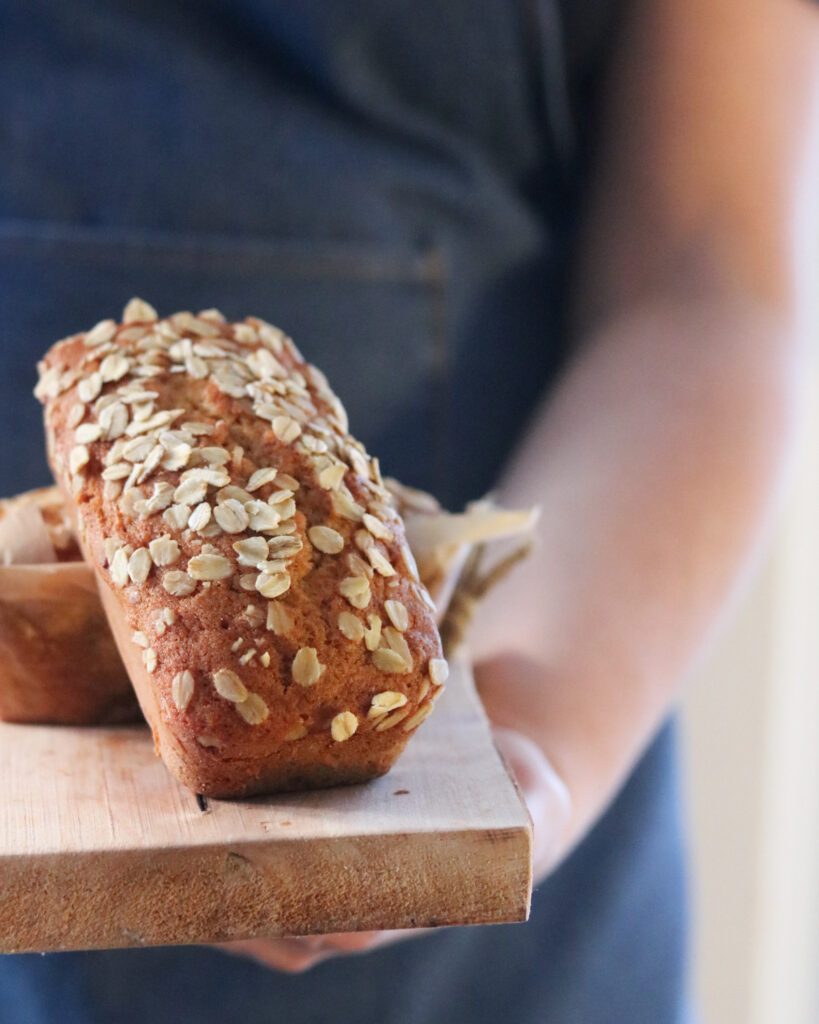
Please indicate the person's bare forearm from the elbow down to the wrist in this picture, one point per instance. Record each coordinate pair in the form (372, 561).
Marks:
(656, 466)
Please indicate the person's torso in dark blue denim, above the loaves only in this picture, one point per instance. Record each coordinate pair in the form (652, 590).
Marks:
(387, 182)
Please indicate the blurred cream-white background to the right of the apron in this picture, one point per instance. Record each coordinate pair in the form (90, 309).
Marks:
(752, 729)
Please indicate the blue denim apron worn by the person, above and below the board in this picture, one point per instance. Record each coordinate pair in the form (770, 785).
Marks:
(395, 185)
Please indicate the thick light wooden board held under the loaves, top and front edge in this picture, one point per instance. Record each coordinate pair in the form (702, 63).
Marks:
(102, 847)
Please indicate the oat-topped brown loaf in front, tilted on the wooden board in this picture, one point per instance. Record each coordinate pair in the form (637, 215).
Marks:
(252, 564)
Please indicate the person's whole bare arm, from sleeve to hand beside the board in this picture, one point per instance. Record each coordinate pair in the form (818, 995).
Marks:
(658, 461)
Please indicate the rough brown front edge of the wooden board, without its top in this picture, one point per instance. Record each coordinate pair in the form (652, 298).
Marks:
(180, 898)
